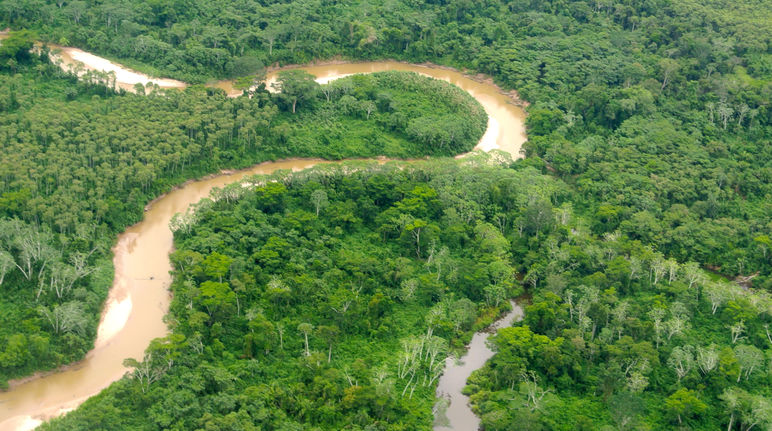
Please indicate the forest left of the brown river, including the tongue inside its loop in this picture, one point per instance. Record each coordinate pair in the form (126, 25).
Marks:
(79, 163)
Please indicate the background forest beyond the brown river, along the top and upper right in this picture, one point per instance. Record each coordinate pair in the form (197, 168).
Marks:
(652, 110)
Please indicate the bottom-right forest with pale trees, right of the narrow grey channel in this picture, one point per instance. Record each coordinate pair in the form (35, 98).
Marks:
(619, 337)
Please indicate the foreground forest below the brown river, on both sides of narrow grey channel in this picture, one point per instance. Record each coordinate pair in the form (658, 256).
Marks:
(304, 302)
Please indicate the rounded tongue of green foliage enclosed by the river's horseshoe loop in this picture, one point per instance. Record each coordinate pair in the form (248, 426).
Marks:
(386, 113)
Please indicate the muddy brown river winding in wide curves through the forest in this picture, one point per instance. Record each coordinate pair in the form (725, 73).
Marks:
(139, 297)
